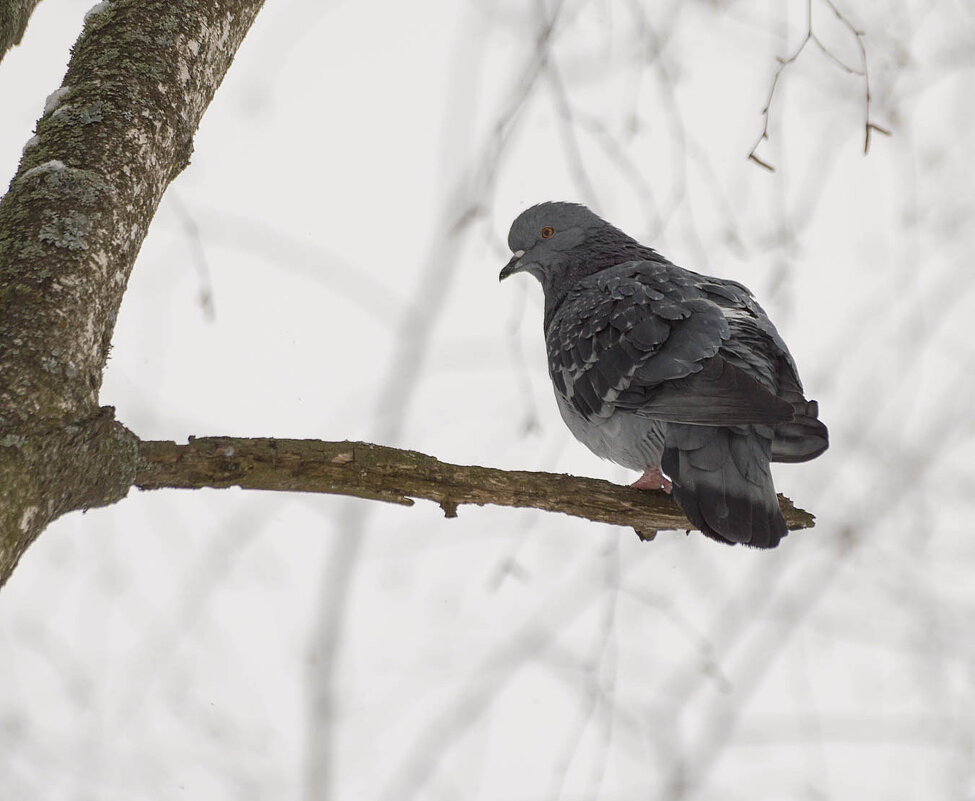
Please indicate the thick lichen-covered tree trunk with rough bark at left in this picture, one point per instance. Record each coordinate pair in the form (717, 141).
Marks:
(111, 139)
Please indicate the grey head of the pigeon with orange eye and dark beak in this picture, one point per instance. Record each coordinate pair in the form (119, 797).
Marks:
(543, 237)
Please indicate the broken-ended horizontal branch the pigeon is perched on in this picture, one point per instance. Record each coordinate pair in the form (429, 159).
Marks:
(379, 473)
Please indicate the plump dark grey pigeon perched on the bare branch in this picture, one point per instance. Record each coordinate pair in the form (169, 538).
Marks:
(667, 371)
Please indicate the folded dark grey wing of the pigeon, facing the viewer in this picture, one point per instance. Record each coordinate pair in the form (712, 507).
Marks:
(665, 343)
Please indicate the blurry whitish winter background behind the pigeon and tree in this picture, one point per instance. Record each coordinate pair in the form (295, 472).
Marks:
(327, 267)
